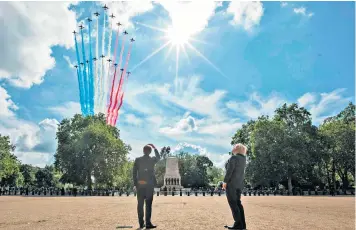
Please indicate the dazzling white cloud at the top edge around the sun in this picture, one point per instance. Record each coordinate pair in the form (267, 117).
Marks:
(190, 18)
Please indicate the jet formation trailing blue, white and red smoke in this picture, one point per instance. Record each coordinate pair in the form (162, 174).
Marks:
(101, 89)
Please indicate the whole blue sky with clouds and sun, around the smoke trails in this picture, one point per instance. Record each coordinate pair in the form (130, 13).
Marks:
(237, 61)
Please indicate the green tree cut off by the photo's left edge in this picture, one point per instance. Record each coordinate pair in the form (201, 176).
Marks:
(9, 164)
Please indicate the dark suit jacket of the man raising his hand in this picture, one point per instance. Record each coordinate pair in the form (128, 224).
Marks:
(144, 169)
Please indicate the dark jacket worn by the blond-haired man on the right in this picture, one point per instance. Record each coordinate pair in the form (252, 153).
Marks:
(235, 171)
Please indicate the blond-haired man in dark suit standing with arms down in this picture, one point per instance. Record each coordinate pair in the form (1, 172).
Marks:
(234, 184)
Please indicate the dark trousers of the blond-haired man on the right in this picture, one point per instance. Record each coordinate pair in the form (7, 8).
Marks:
(234, 198)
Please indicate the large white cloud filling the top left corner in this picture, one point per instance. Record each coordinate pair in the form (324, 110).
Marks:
(26, 56)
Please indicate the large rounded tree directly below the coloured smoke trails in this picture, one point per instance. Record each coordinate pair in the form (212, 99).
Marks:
(87, 148)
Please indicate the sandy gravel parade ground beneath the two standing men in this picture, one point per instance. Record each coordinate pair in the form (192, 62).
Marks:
(176, 212)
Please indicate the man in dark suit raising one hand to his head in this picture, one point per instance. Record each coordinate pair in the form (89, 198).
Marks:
(145, 181)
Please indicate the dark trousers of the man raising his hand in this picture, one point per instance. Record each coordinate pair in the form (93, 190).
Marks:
(144, 193)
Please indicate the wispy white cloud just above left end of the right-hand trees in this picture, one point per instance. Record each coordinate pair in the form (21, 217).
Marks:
(257, 106)
